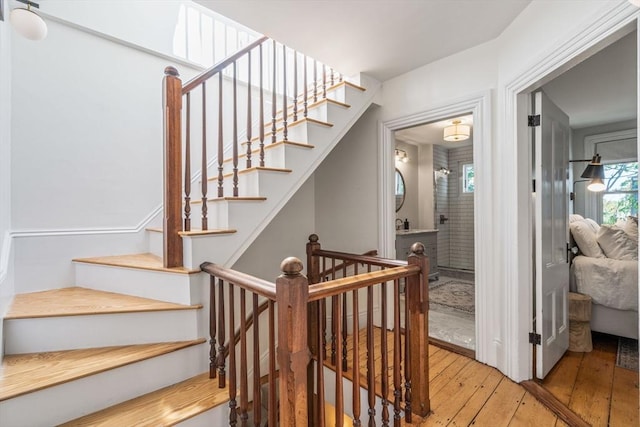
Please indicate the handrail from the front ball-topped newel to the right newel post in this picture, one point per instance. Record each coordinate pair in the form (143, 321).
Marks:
(339, 286)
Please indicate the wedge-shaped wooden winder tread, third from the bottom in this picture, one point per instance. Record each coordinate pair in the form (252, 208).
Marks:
(76, 301)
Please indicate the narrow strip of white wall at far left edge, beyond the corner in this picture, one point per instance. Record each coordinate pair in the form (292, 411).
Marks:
(6, 270)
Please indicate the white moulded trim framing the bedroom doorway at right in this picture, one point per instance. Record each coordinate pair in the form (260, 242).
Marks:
(512, 178)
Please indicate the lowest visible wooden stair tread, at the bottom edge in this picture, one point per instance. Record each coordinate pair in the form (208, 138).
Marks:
(165, 407)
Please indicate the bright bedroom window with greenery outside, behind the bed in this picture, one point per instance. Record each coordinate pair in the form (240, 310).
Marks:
(620, 197)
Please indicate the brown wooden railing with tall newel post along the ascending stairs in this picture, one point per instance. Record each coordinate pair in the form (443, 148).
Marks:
(255, 91)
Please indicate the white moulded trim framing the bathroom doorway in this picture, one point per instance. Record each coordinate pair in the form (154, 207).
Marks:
(480, 106)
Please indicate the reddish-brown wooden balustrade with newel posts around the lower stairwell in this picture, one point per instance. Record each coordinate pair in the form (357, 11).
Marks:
(298, 362)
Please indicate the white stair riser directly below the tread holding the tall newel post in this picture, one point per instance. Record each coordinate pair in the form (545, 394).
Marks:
(159, 285)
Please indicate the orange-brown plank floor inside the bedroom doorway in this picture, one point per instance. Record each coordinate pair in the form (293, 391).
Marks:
(591, 385)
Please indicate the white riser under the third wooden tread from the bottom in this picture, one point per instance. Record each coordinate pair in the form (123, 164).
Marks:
(76, 332)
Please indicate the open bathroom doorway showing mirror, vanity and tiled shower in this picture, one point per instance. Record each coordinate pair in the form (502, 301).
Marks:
(439, 183)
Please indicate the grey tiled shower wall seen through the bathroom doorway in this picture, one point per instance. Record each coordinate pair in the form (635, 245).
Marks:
(455, 236)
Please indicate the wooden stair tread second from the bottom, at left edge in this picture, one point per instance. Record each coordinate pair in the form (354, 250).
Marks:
(26, 373)
